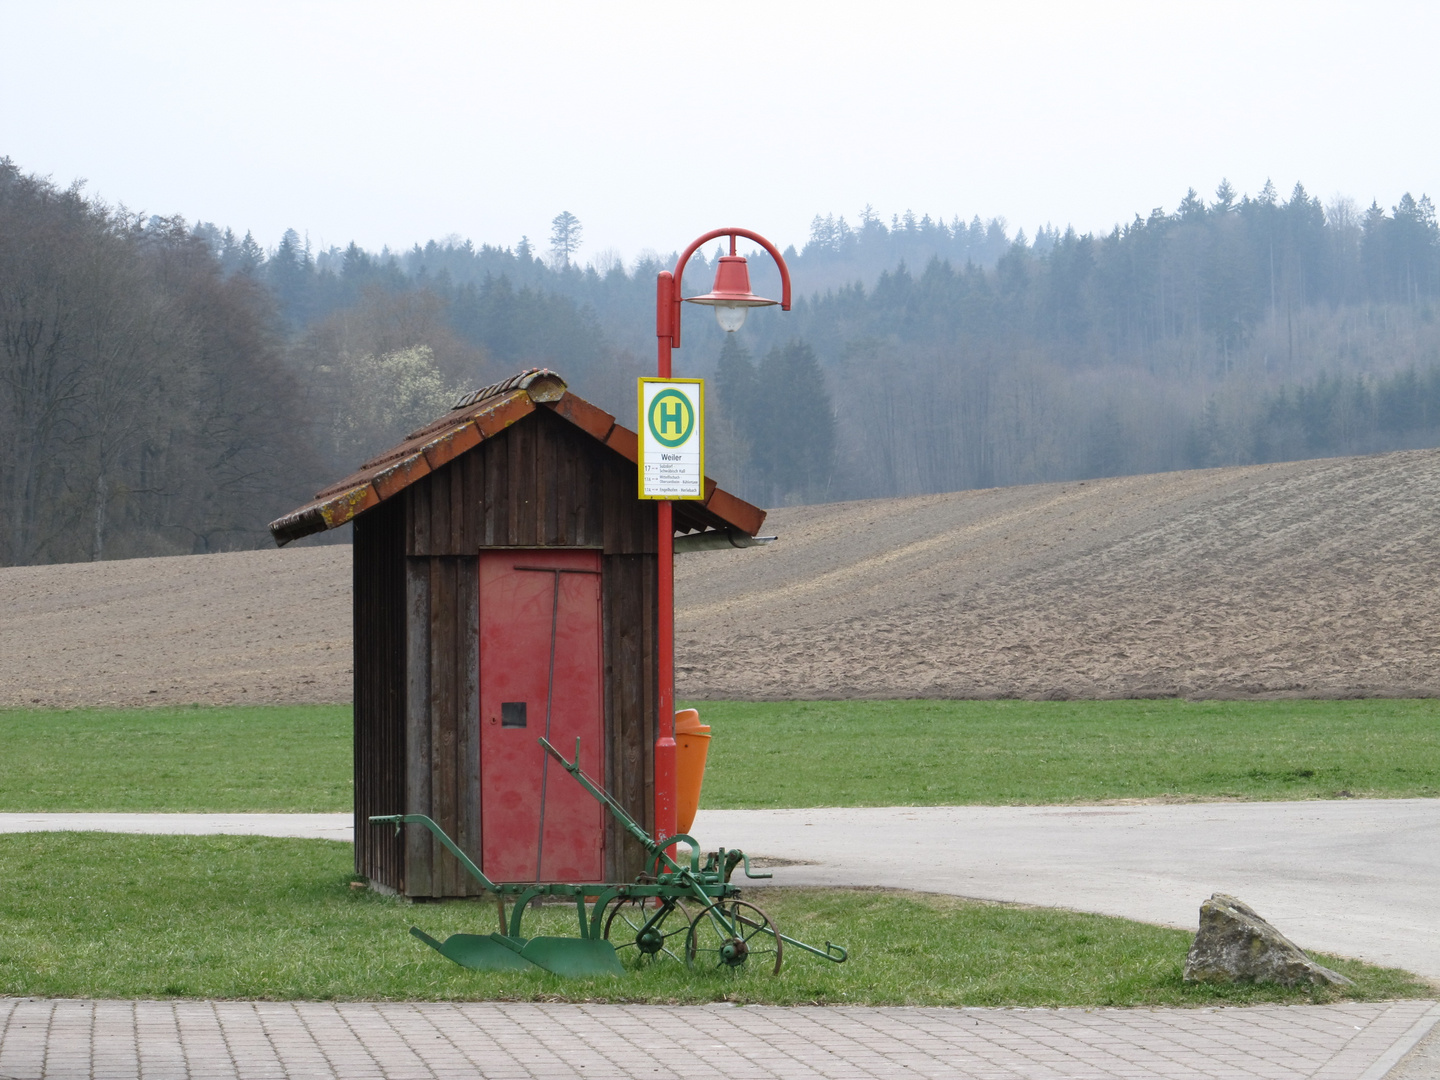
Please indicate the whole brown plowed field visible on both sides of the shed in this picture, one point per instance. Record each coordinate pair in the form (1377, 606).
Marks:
(1308, 580)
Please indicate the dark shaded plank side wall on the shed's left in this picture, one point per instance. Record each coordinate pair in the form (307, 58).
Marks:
(378, 562)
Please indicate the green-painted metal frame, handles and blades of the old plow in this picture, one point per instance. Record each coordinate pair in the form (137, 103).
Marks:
(706, 883)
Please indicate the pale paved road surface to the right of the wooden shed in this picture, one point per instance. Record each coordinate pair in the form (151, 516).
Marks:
(1359, 878)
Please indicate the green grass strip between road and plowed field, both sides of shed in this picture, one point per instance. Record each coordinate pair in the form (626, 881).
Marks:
(793, 754)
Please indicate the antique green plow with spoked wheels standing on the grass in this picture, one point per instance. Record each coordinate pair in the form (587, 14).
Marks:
(682, 911)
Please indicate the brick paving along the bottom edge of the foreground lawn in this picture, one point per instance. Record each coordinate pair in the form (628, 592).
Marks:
(230, 1040)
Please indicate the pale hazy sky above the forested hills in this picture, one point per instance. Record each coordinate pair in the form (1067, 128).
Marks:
(656, 122)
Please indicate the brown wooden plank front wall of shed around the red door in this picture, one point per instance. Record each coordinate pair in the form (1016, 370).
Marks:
(541, 483)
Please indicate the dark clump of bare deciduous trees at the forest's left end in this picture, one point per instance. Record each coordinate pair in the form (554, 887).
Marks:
(143, 404)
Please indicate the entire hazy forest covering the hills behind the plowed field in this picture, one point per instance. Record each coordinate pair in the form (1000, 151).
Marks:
(171, 387)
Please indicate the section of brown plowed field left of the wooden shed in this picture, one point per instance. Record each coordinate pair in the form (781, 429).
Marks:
(246, 627)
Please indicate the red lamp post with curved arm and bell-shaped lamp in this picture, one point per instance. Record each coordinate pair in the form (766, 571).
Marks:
(732, 300)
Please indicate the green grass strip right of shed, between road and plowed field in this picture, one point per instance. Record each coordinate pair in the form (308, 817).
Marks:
(937, 754)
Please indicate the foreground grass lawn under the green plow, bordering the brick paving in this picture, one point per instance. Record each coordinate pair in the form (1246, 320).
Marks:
(91, 915)
